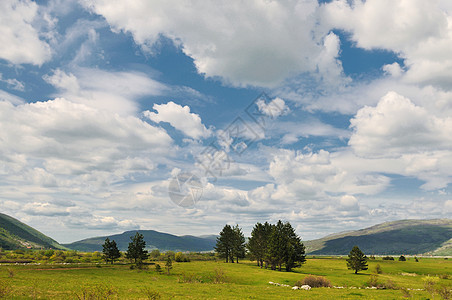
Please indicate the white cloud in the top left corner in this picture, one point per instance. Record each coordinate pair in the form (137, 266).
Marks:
(20, 41)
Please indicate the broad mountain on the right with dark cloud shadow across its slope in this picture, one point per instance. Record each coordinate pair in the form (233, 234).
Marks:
(431, 237)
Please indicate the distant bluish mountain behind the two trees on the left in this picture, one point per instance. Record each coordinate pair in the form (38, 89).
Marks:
(154, 239)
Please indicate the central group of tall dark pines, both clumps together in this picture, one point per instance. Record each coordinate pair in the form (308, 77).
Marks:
(271, 245)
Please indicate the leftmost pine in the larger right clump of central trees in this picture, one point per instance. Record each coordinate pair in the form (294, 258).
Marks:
(258, 242)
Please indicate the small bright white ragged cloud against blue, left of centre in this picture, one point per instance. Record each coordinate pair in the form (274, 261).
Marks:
(180, 118)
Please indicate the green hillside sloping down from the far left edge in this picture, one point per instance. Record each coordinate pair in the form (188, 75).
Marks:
(15, 235)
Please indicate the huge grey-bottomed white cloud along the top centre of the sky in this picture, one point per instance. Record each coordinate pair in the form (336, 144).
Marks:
(245, 43)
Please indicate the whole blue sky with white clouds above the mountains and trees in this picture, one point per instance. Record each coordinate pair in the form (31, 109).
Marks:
(184, 116)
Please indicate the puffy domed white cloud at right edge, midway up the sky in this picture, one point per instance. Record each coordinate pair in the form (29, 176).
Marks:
(396, 126)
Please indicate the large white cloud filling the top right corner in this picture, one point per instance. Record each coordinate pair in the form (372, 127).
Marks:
(419, 31)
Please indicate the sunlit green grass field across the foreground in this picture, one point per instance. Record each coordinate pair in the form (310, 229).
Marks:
(196, 280)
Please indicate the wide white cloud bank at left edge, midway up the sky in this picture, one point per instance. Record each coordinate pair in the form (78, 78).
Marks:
(57, 137)
